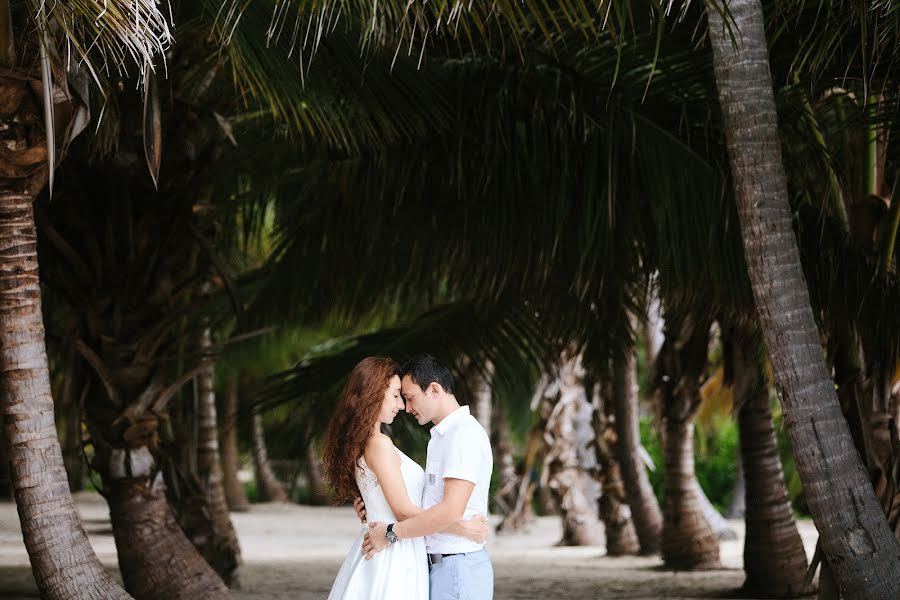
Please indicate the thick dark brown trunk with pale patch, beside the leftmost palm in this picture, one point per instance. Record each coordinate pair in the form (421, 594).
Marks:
(130, 385)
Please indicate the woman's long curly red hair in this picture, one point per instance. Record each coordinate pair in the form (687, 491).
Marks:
(354, 419)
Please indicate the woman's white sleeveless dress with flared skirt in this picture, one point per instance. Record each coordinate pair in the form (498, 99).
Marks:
(401, 569)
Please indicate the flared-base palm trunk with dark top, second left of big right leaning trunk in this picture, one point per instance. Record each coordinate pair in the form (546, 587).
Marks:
(688, 541)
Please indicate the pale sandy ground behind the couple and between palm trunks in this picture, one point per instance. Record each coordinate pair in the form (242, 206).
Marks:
(294, 552)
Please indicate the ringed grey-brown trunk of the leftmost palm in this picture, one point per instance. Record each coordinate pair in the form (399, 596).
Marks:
(63, 563)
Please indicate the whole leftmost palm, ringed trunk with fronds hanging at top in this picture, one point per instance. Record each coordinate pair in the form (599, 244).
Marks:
(67, 568)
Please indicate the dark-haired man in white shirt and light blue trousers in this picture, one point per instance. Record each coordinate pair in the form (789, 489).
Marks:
(457, 477)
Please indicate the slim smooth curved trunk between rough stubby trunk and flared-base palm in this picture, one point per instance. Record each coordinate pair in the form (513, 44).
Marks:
(644, 508)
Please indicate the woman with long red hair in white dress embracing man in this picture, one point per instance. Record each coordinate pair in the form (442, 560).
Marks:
(362, 461)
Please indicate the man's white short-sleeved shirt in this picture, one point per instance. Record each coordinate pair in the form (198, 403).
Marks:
(459, 449)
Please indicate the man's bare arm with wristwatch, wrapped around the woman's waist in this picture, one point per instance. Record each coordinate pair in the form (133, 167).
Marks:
(437, 518)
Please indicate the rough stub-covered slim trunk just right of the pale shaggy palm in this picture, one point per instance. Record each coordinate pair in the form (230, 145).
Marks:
(621, 536)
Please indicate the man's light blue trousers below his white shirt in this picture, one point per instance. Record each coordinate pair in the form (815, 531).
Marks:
(467, 576)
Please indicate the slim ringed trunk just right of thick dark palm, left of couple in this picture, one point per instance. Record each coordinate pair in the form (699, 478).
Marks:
(222, 551)
